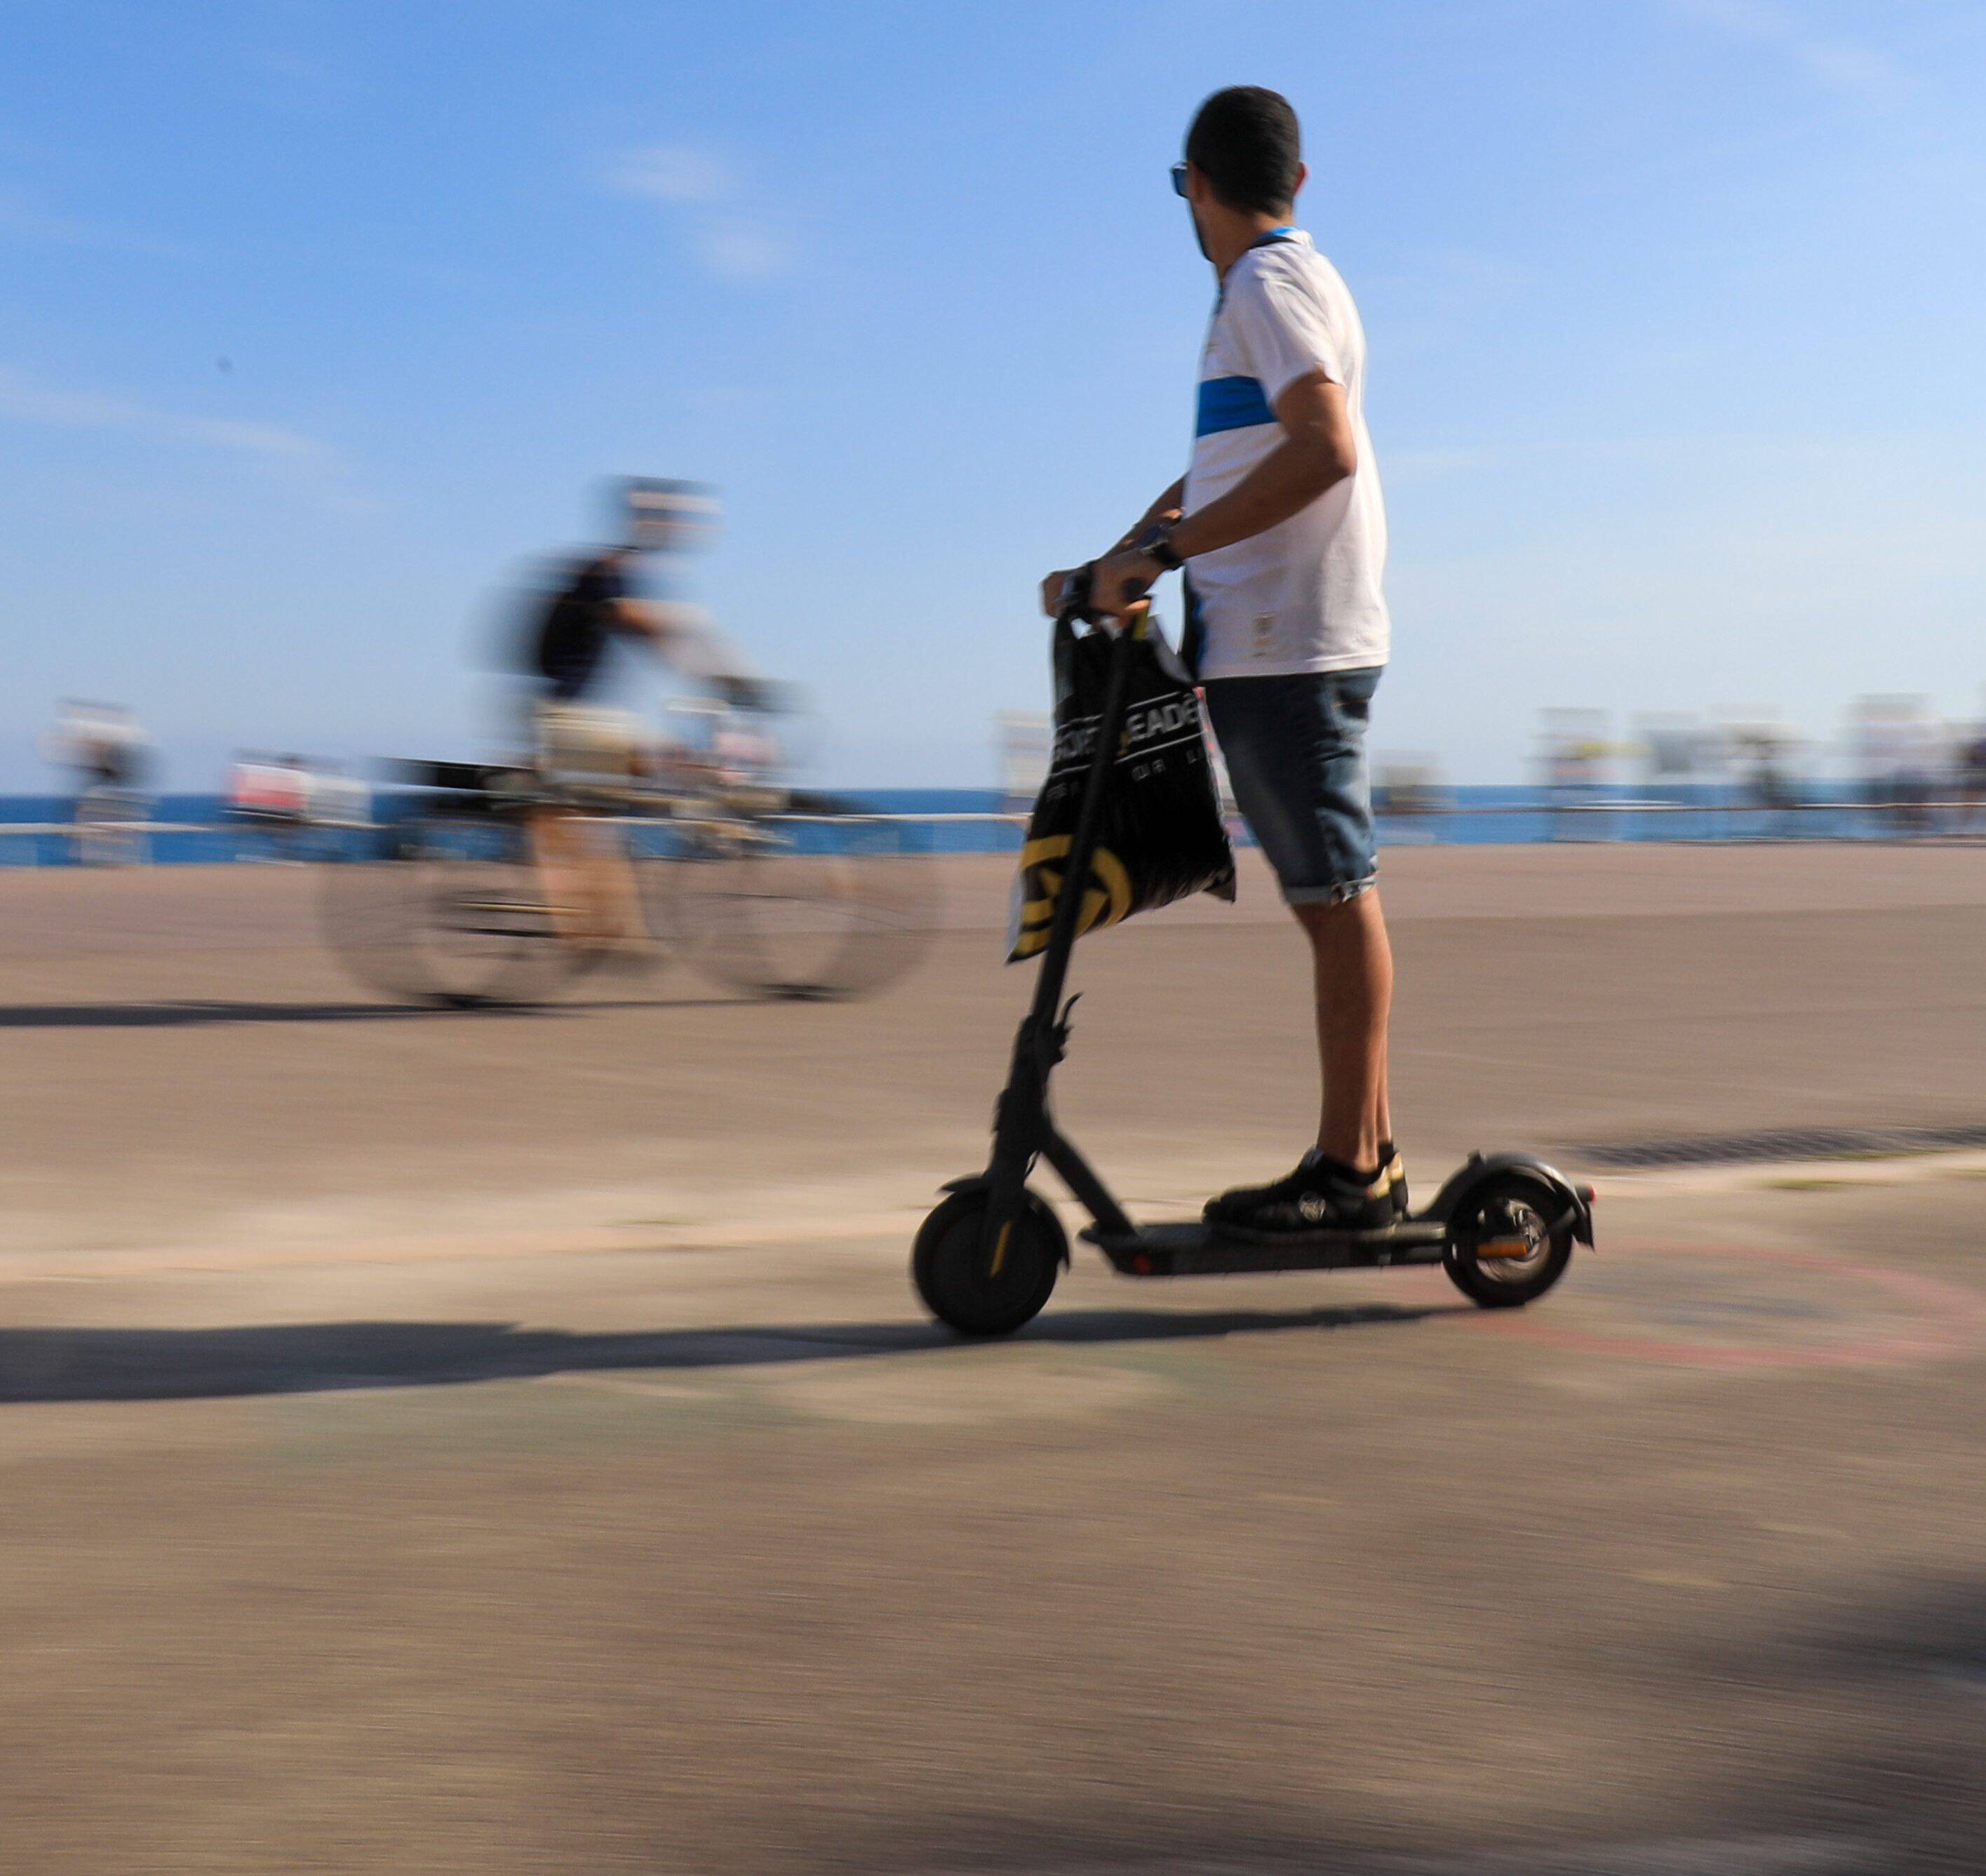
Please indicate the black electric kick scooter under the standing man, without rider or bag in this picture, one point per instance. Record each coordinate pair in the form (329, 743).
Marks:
(988, 1258)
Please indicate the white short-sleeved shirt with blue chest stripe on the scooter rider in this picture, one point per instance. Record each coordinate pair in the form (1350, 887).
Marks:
(1304, 595)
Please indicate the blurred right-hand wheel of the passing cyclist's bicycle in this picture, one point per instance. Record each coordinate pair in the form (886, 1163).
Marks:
(809, 906)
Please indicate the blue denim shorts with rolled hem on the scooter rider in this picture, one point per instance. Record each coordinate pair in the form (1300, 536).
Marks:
(1296, 755)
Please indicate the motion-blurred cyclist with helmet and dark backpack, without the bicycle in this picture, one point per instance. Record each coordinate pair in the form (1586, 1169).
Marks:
(589, 751)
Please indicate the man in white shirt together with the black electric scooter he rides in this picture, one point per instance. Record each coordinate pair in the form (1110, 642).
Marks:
(1284, 539)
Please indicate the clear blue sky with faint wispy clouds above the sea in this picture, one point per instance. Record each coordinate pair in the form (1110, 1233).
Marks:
(321, 319)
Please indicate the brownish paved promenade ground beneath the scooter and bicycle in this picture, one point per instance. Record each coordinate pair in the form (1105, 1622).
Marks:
(509, 1444)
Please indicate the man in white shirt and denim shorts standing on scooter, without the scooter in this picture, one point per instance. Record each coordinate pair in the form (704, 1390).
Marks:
(1282, 535)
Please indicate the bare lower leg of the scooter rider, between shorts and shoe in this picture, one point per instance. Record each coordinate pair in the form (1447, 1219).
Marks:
(1353, 972)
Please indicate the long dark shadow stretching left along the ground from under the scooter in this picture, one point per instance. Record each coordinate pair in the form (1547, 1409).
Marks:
(134, 1365)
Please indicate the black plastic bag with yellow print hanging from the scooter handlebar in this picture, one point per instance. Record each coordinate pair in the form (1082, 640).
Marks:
(1161, 837)
